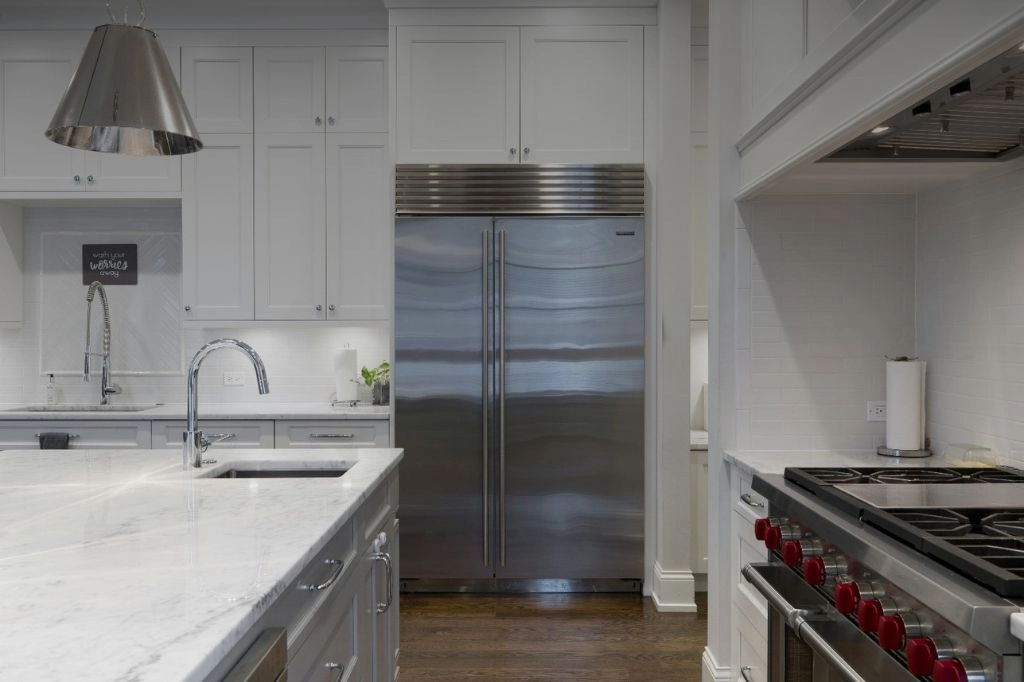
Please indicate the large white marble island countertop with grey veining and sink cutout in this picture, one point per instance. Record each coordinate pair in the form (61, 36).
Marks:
(120, 566)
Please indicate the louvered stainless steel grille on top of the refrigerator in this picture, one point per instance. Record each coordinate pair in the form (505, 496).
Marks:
(520, 190)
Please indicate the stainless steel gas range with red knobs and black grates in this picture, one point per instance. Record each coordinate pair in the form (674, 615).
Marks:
(915, 571)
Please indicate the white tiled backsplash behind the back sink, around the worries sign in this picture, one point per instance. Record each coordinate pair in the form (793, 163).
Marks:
(146, 318)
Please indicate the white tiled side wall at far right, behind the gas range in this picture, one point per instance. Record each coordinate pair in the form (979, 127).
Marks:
(971, 311)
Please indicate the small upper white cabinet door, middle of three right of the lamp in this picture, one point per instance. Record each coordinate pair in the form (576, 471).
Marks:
(288, 90)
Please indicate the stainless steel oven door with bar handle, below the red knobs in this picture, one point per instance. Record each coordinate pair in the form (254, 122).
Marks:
(810, 642)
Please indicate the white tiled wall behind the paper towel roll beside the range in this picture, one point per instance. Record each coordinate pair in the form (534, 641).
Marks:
(825, 290)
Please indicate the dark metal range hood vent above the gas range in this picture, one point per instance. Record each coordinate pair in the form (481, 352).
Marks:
(980, 117)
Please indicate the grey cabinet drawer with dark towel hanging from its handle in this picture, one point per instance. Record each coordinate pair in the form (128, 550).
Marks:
(86, 435)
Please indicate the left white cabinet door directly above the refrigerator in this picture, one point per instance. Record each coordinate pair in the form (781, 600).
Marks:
(458, 95)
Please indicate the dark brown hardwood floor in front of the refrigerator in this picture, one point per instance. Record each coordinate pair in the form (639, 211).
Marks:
(548, 637)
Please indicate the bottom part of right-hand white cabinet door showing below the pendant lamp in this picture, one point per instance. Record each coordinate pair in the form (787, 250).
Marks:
(118, 173)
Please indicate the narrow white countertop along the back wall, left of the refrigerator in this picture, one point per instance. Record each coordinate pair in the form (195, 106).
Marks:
(210, 411)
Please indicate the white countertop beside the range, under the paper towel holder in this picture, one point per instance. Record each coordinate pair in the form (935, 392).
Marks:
(776, 462)
